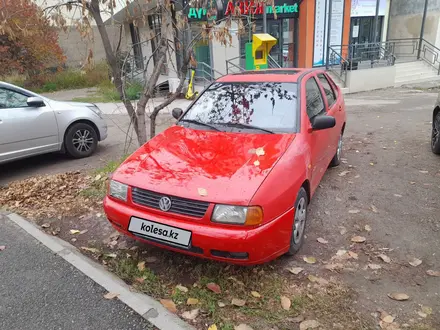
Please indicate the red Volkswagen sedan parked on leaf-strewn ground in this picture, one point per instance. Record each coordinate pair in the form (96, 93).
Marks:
(231, 180)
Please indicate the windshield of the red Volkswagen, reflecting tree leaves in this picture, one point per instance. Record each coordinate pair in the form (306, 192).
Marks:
(268, 107)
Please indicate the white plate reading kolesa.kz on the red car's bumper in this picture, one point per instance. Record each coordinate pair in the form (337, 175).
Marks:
(160, 232)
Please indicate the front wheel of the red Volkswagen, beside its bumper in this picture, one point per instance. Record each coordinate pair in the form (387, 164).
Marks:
(299, 222)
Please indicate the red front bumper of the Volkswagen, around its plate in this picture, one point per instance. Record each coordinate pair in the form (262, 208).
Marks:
(239, 245)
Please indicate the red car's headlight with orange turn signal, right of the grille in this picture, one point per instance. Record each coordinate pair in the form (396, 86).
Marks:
(238, 215)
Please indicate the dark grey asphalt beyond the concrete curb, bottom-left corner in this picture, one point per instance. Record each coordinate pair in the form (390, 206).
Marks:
(39, 290)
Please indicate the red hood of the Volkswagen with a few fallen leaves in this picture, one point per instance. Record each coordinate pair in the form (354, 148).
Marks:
(214, 166)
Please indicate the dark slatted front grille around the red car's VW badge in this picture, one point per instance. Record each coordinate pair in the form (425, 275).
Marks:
(179, 205)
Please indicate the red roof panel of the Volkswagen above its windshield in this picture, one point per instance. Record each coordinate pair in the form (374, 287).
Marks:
(291, 75)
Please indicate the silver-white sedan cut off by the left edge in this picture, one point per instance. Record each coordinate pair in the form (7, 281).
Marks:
(31, 124)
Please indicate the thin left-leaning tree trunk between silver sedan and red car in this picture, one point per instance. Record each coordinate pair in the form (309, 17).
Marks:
(138, 119)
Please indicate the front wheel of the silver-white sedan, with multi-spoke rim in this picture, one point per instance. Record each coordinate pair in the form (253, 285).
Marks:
(81, 140)
